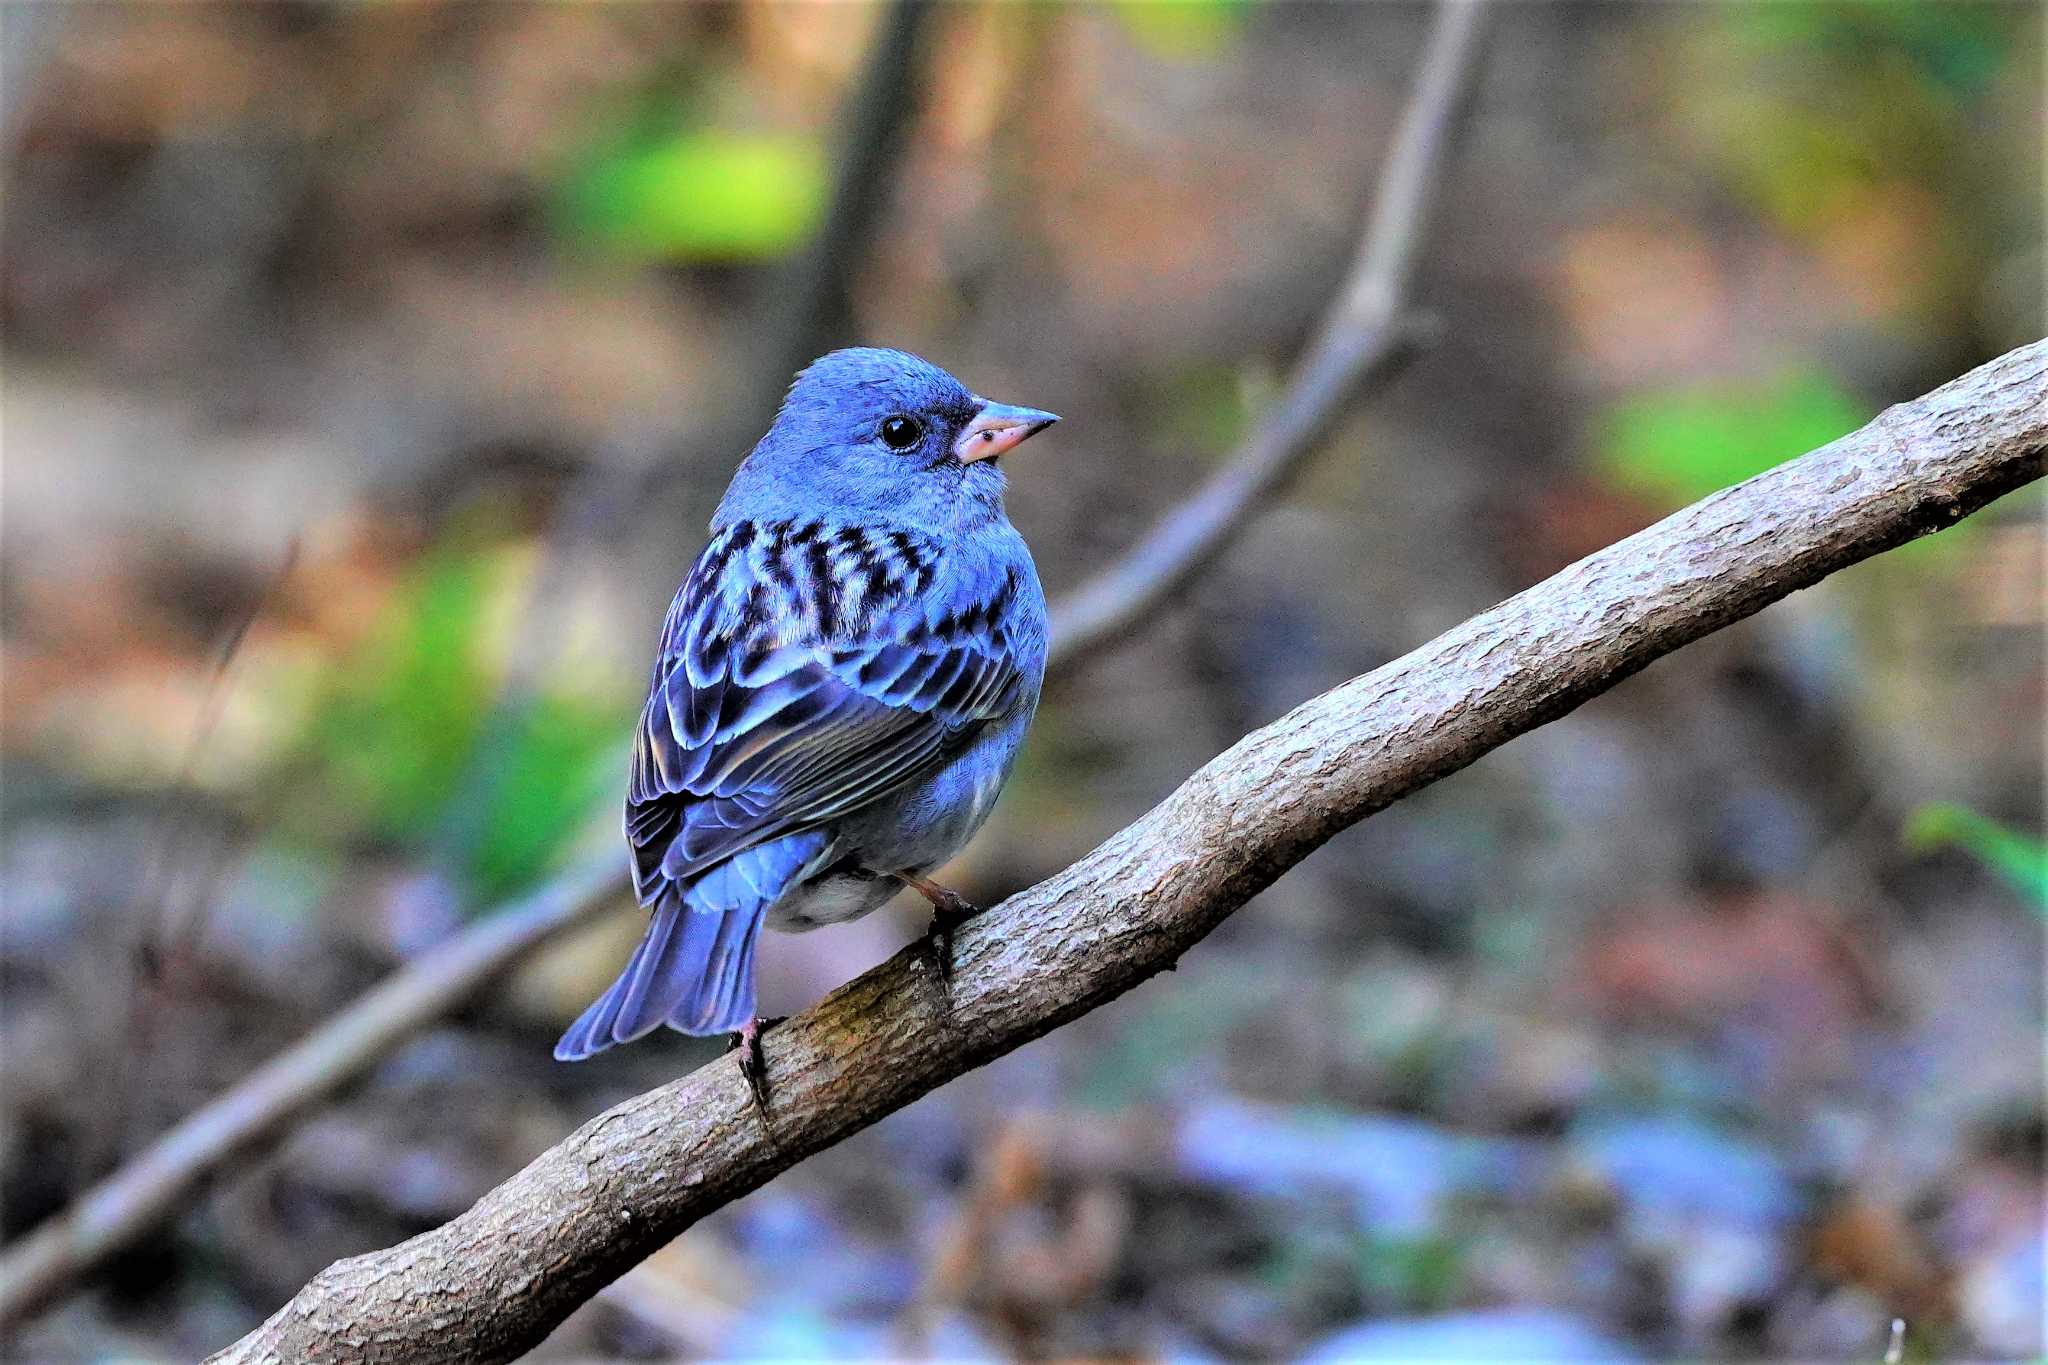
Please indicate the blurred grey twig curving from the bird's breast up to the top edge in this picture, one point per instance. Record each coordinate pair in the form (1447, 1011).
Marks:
(1365, 339)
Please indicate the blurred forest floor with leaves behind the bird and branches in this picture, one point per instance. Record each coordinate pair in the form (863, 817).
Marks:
(370, 378)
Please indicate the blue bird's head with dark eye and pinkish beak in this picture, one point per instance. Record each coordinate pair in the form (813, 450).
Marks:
(886, 431)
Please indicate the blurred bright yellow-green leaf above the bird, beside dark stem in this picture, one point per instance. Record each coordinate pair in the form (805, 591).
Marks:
(699, 195)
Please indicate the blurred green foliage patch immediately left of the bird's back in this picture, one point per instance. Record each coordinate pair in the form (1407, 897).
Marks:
(413, 748)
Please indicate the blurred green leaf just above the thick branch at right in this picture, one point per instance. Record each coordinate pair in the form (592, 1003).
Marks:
(1682, 445)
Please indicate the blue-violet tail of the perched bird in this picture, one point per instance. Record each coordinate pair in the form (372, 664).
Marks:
(695, 967)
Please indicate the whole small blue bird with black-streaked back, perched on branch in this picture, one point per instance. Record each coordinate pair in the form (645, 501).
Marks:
(843, 687)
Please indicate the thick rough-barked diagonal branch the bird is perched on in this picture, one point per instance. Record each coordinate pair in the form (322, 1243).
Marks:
(497, 1280)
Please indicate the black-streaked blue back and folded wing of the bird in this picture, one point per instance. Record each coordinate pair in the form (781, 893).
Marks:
(806, 672)
